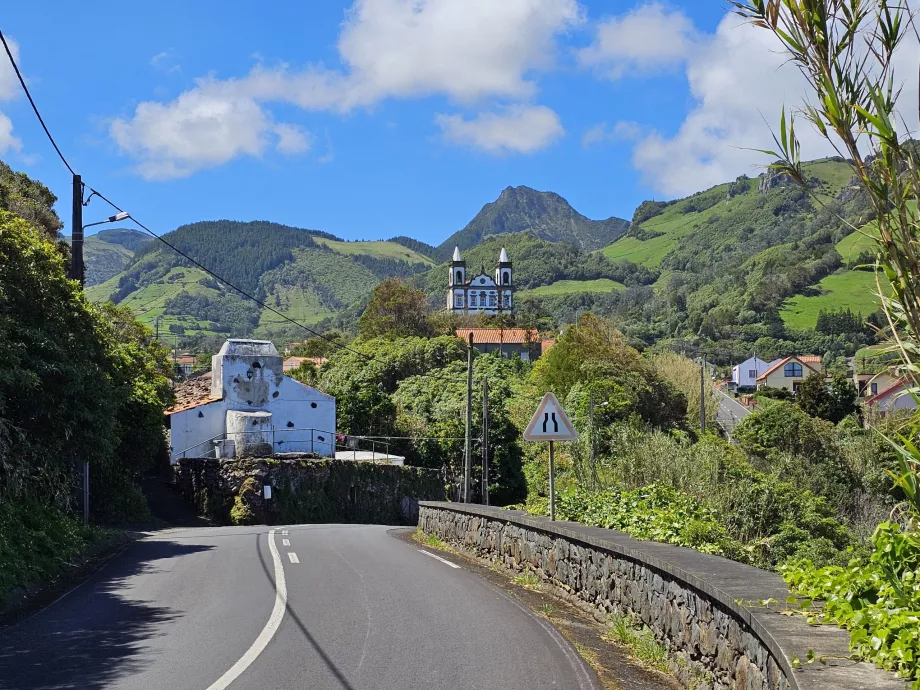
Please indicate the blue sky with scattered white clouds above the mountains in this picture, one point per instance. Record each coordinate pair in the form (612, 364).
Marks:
(376, 118)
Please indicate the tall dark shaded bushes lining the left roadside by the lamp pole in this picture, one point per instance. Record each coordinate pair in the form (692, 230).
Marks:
(80, 383)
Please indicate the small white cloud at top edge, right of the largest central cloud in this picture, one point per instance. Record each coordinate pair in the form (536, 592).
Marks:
(650, 38)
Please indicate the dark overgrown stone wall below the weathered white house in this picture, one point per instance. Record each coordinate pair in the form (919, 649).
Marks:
(306, 489)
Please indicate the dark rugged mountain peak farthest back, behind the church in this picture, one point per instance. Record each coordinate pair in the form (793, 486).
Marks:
(545, 215)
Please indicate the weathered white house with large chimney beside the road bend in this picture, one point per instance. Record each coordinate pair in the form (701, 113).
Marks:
(252, 409)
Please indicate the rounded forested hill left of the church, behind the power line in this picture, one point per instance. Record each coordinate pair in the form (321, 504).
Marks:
(305, 275)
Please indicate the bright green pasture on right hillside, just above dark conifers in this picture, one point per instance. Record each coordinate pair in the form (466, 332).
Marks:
(854, 290)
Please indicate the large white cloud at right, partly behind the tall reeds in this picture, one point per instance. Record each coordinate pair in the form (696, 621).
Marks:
(739, 80)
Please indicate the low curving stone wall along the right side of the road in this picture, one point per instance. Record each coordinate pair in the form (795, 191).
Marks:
(701, 608)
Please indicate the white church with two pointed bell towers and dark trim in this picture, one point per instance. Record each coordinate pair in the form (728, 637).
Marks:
(481, 293)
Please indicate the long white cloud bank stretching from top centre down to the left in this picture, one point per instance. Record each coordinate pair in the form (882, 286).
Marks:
(468, 50)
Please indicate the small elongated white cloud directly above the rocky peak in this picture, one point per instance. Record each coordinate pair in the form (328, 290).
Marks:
(514, 129)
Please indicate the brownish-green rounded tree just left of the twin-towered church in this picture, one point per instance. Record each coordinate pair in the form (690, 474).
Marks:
(396, 310)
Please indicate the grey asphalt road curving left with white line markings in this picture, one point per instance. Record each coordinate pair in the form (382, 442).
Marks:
(354, 608)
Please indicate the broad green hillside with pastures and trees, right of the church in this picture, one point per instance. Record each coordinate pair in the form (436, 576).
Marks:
(746, 265)
